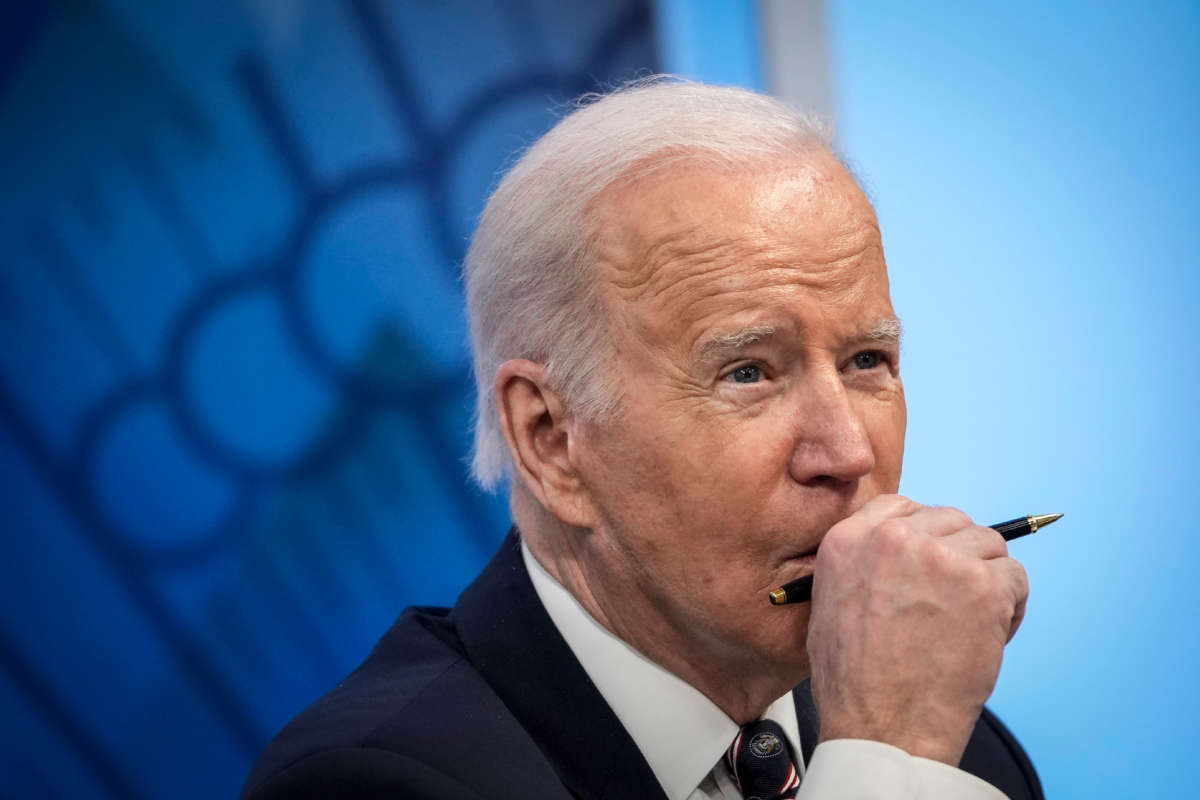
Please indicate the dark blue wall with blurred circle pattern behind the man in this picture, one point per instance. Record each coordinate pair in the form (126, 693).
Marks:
(235, 393)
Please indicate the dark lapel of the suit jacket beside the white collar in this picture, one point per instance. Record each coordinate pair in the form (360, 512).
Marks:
(514, 645)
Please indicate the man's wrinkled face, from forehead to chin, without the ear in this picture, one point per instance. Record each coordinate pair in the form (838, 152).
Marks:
(759, 364)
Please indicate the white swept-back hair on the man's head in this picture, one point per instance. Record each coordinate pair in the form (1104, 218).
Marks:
(529, 274)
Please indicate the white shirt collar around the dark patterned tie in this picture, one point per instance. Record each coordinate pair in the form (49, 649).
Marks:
(681, 733)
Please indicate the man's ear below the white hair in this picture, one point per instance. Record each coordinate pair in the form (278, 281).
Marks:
(537, 428)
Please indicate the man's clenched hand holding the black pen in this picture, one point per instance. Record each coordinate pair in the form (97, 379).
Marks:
(913, 607)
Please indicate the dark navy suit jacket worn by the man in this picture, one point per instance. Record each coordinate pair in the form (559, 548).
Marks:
(488, 701)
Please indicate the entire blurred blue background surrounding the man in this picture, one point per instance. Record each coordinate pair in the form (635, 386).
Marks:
(235, 390)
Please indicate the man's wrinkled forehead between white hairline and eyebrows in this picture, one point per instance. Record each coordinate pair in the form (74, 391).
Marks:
(692, 248)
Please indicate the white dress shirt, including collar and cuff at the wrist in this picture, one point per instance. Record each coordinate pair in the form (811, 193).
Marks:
(683, 736)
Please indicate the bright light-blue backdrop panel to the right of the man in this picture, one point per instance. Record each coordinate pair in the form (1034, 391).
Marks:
(1036, 169)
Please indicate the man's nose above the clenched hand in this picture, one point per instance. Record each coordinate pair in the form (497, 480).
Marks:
(832, 443)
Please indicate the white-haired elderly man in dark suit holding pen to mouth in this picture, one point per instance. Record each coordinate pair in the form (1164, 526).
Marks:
(689, 376)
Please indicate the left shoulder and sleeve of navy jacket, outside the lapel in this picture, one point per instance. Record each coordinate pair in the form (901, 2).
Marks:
(415, 720)
